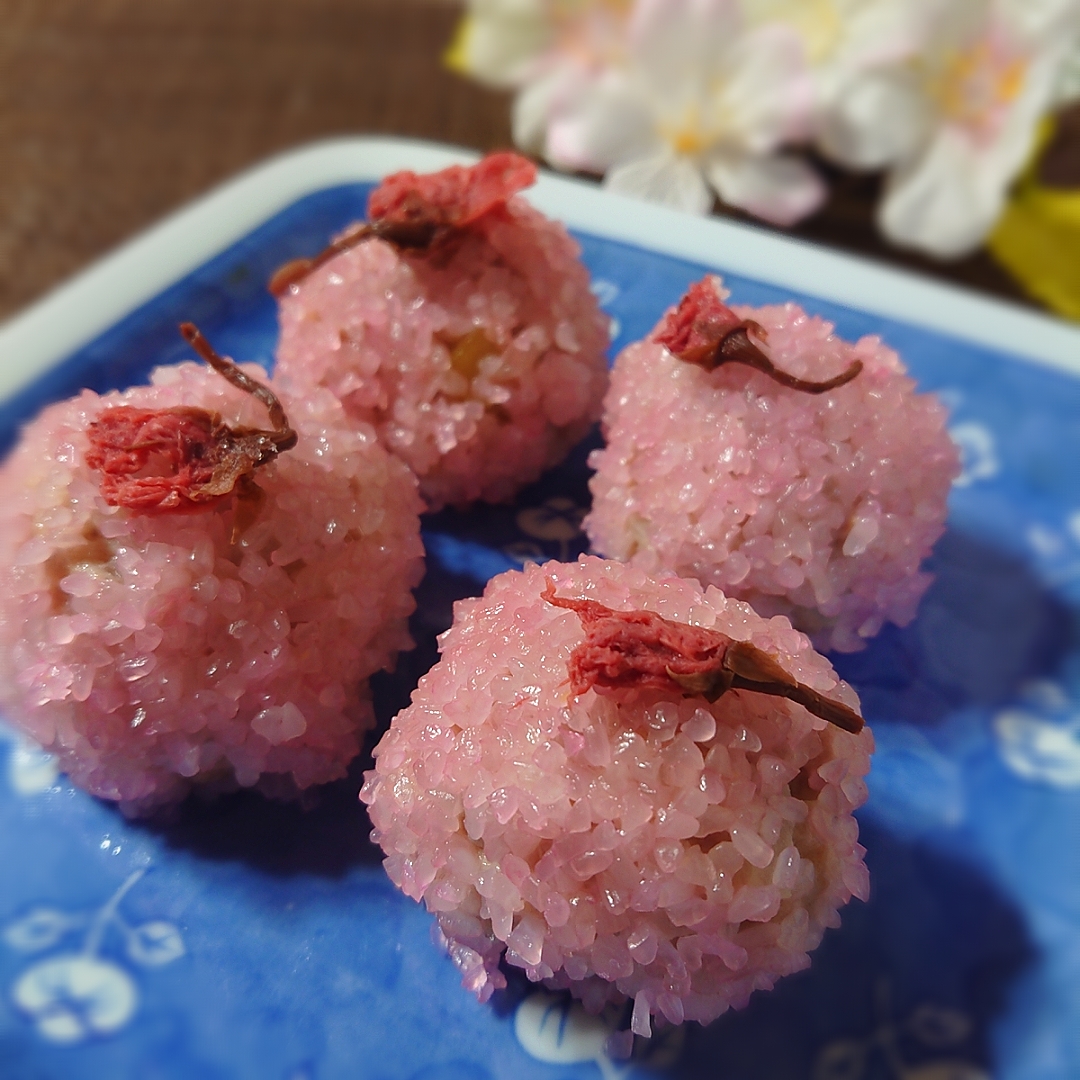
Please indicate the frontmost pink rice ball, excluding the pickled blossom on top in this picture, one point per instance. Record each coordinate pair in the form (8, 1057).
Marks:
(632, 845)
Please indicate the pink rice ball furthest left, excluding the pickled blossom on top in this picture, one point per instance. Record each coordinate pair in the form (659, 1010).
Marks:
(159, 654)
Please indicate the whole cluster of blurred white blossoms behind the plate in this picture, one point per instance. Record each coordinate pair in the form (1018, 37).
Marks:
(674, 100)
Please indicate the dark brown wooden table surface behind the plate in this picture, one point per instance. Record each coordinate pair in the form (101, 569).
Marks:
(114, 113)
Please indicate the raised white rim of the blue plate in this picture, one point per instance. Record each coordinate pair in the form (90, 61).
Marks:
(87, 305)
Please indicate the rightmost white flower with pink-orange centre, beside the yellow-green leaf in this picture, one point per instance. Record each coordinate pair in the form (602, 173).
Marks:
(957, 123)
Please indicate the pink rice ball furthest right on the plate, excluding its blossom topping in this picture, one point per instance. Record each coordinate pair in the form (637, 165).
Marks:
(819, 507)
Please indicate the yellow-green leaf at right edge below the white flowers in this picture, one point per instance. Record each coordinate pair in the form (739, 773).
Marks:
(1037, 240)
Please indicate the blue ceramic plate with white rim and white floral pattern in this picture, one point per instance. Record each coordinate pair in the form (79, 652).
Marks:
(252, 940)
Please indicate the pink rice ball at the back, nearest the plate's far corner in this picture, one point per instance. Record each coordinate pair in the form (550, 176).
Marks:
(481, 362)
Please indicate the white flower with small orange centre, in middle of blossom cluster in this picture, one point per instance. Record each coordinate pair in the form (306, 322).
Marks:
(701, 103)
